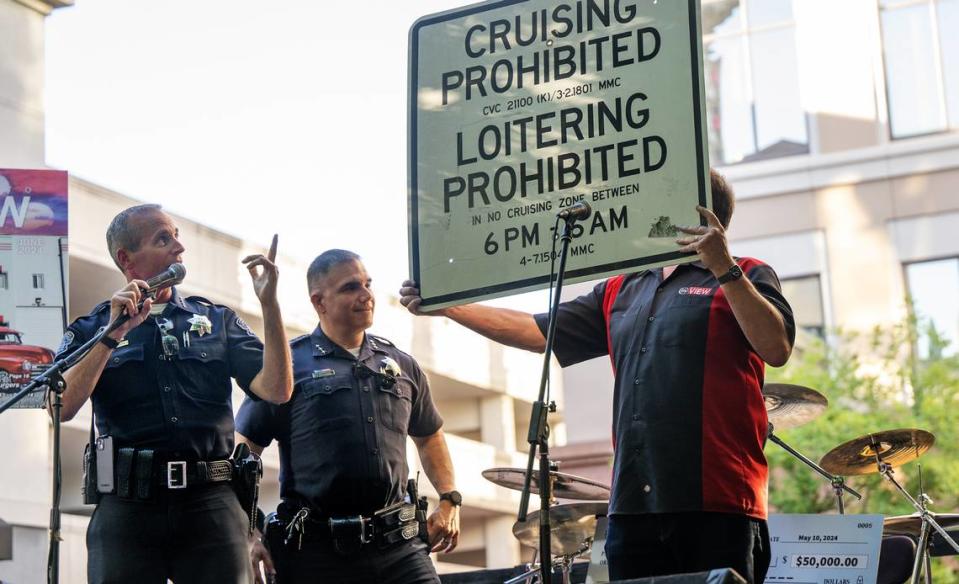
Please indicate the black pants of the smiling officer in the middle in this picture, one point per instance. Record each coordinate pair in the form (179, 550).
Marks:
(406, 563)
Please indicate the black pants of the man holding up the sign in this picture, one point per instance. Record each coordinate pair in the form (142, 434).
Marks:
(638, 546)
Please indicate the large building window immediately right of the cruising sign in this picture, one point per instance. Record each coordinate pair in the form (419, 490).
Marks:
(752, 86)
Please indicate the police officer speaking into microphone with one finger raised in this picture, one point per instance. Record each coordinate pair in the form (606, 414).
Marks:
(163, 394)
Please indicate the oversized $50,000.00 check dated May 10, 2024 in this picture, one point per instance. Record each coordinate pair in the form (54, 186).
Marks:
(824, 549)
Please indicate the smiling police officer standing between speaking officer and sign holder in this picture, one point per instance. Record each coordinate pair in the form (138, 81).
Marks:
(342, 441)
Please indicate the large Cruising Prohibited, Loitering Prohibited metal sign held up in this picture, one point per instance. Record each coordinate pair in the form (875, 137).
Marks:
(520, 108)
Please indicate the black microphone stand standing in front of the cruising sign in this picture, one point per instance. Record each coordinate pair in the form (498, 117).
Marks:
(538, 436)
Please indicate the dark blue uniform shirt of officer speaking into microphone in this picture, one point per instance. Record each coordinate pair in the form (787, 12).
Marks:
(179, 405)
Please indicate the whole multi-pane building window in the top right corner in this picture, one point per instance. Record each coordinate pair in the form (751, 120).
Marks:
(921, 57)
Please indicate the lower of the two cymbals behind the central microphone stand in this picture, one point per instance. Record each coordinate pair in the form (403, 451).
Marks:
(570, 525)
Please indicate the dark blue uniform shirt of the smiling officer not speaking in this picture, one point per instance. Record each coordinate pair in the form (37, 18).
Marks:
(342, 436)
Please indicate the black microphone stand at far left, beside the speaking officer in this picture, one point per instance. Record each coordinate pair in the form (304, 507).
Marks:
(52, 378)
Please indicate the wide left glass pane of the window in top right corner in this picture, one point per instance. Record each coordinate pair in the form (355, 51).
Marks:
(911, 78)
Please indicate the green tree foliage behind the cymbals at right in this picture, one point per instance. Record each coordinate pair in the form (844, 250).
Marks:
(874, 381)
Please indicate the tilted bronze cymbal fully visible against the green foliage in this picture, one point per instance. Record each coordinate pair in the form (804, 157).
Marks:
(895, 448)
